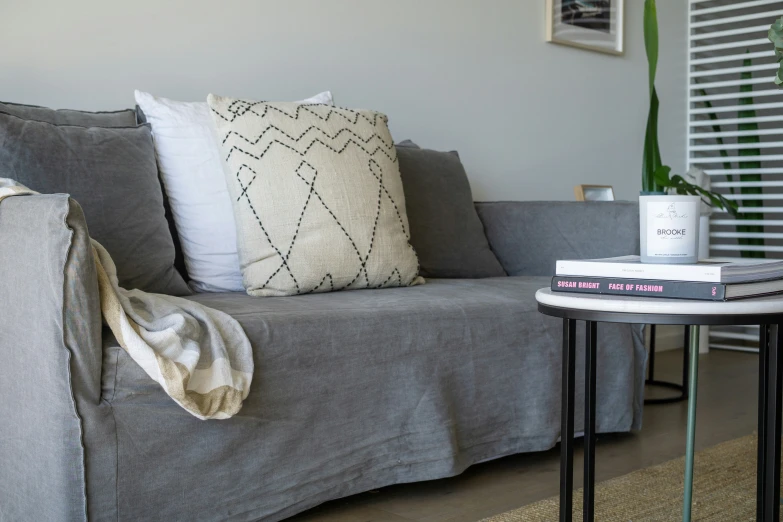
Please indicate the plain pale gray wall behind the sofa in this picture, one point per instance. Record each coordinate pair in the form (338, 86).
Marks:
(530, 119)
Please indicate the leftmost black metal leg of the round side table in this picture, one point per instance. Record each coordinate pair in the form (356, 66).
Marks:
(567, 421)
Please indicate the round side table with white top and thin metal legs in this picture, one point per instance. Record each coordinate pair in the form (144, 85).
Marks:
(764, 311)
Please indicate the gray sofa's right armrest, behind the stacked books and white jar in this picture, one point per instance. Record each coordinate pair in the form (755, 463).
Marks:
(529, 236)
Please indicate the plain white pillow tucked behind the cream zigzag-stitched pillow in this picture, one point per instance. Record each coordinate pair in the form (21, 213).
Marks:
(192, 173)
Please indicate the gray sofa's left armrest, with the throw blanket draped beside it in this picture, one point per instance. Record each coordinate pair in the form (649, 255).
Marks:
(50, 356)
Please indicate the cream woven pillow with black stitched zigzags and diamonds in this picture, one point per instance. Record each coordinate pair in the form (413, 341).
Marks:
(317, 197)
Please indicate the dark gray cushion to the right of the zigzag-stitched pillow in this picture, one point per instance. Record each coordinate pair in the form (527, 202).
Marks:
(445, 229)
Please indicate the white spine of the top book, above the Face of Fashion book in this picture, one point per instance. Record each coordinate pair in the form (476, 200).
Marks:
(696, 273)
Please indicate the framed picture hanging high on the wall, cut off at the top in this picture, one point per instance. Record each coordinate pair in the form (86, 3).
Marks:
(596, 25)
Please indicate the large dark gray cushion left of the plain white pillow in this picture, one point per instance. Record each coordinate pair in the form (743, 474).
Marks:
(112, 174)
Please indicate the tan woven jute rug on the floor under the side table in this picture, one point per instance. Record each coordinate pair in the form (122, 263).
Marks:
(724, 489)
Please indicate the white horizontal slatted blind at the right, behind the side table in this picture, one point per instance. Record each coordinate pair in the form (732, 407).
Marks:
(735, 131)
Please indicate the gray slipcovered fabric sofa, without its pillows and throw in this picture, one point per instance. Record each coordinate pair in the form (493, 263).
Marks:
(353, 390)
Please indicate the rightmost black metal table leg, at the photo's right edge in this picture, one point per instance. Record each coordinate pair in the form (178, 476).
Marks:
(772, 423)
